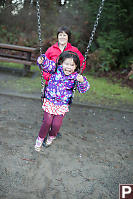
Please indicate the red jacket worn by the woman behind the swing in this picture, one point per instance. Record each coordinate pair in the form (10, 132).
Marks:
(53, 53)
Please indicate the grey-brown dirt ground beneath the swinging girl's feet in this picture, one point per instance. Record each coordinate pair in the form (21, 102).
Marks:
(90, 160)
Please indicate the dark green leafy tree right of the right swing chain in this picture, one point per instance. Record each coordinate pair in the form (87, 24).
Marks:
(117, 35)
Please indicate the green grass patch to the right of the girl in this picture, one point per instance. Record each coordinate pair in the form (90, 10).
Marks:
(103, 91)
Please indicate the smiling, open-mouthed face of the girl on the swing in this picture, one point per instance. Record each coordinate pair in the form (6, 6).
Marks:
(69, 66)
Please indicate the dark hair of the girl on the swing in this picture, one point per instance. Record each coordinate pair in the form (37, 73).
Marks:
(69, 54)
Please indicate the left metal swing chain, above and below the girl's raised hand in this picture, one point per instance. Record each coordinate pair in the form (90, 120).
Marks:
(40, 42)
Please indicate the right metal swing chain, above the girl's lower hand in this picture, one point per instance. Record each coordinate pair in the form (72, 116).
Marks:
(93, 33)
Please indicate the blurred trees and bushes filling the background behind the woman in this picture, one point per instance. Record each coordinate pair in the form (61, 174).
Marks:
(112, 48)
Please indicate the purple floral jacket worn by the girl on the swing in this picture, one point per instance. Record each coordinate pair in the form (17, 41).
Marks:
(60, 86)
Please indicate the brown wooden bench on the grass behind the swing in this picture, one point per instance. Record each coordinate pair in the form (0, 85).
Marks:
(10, 53)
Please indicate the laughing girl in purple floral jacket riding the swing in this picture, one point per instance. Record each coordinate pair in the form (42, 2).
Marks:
(58, 93)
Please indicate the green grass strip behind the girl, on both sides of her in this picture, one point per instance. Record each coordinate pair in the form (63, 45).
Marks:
(102, 91)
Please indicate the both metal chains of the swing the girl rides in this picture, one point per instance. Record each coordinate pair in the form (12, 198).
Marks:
(87, 49)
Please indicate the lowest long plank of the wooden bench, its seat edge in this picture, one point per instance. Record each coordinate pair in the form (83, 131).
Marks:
(4, 59)
